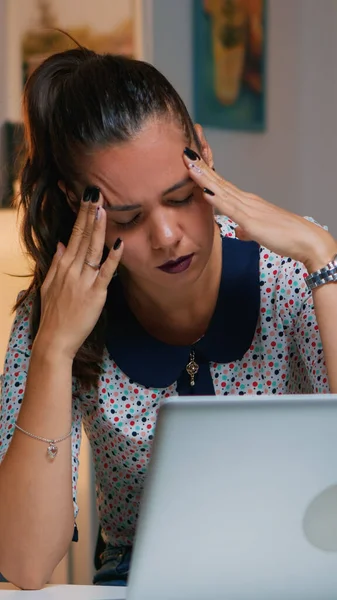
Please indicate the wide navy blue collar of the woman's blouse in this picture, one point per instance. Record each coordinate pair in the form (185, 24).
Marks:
(154, 364)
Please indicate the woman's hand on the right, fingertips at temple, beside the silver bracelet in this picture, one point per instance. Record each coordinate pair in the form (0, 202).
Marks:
(277, 229)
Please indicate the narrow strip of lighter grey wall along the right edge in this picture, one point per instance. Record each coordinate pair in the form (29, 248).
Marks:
(318, 111)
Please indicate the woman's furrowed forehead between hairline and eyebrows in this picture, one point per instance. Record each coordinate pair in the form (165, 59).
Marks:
(141, 168)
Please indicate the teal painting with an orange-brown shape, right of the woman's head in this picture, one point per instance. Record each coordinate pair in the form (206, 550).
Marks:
(230, 63)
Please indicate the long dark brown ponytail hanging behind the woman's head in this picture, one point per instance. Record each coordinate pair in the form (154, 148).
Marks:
(47, 215)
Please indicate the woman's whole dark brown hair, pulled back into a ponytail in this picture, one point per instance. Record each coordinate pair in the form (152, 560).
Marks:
(74, 102)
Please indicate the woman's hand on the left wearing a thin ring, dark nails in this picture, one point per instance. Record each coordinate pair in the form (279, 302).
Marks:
(73, 294)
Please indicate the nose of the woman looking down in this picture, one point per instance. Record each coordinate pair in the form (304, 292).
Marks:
(165, 231)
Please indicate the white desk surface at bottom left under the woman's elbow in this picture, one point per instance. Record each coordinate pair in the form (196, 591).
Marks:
(64, 592)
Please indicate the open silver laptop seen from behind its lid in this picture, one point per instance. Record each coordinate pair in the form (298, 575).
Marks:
(240, 501)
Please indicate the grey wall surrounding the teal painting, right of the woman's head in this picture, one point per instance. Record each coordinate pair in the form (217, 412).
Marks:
(294, 162)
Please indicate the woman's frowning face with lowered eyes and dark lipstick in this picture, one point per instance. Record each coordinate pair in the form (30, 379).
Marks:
(154, 206)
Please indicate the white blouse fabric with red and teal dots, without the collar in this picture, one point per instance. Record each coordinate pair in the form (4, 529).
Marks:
(285, 356)
